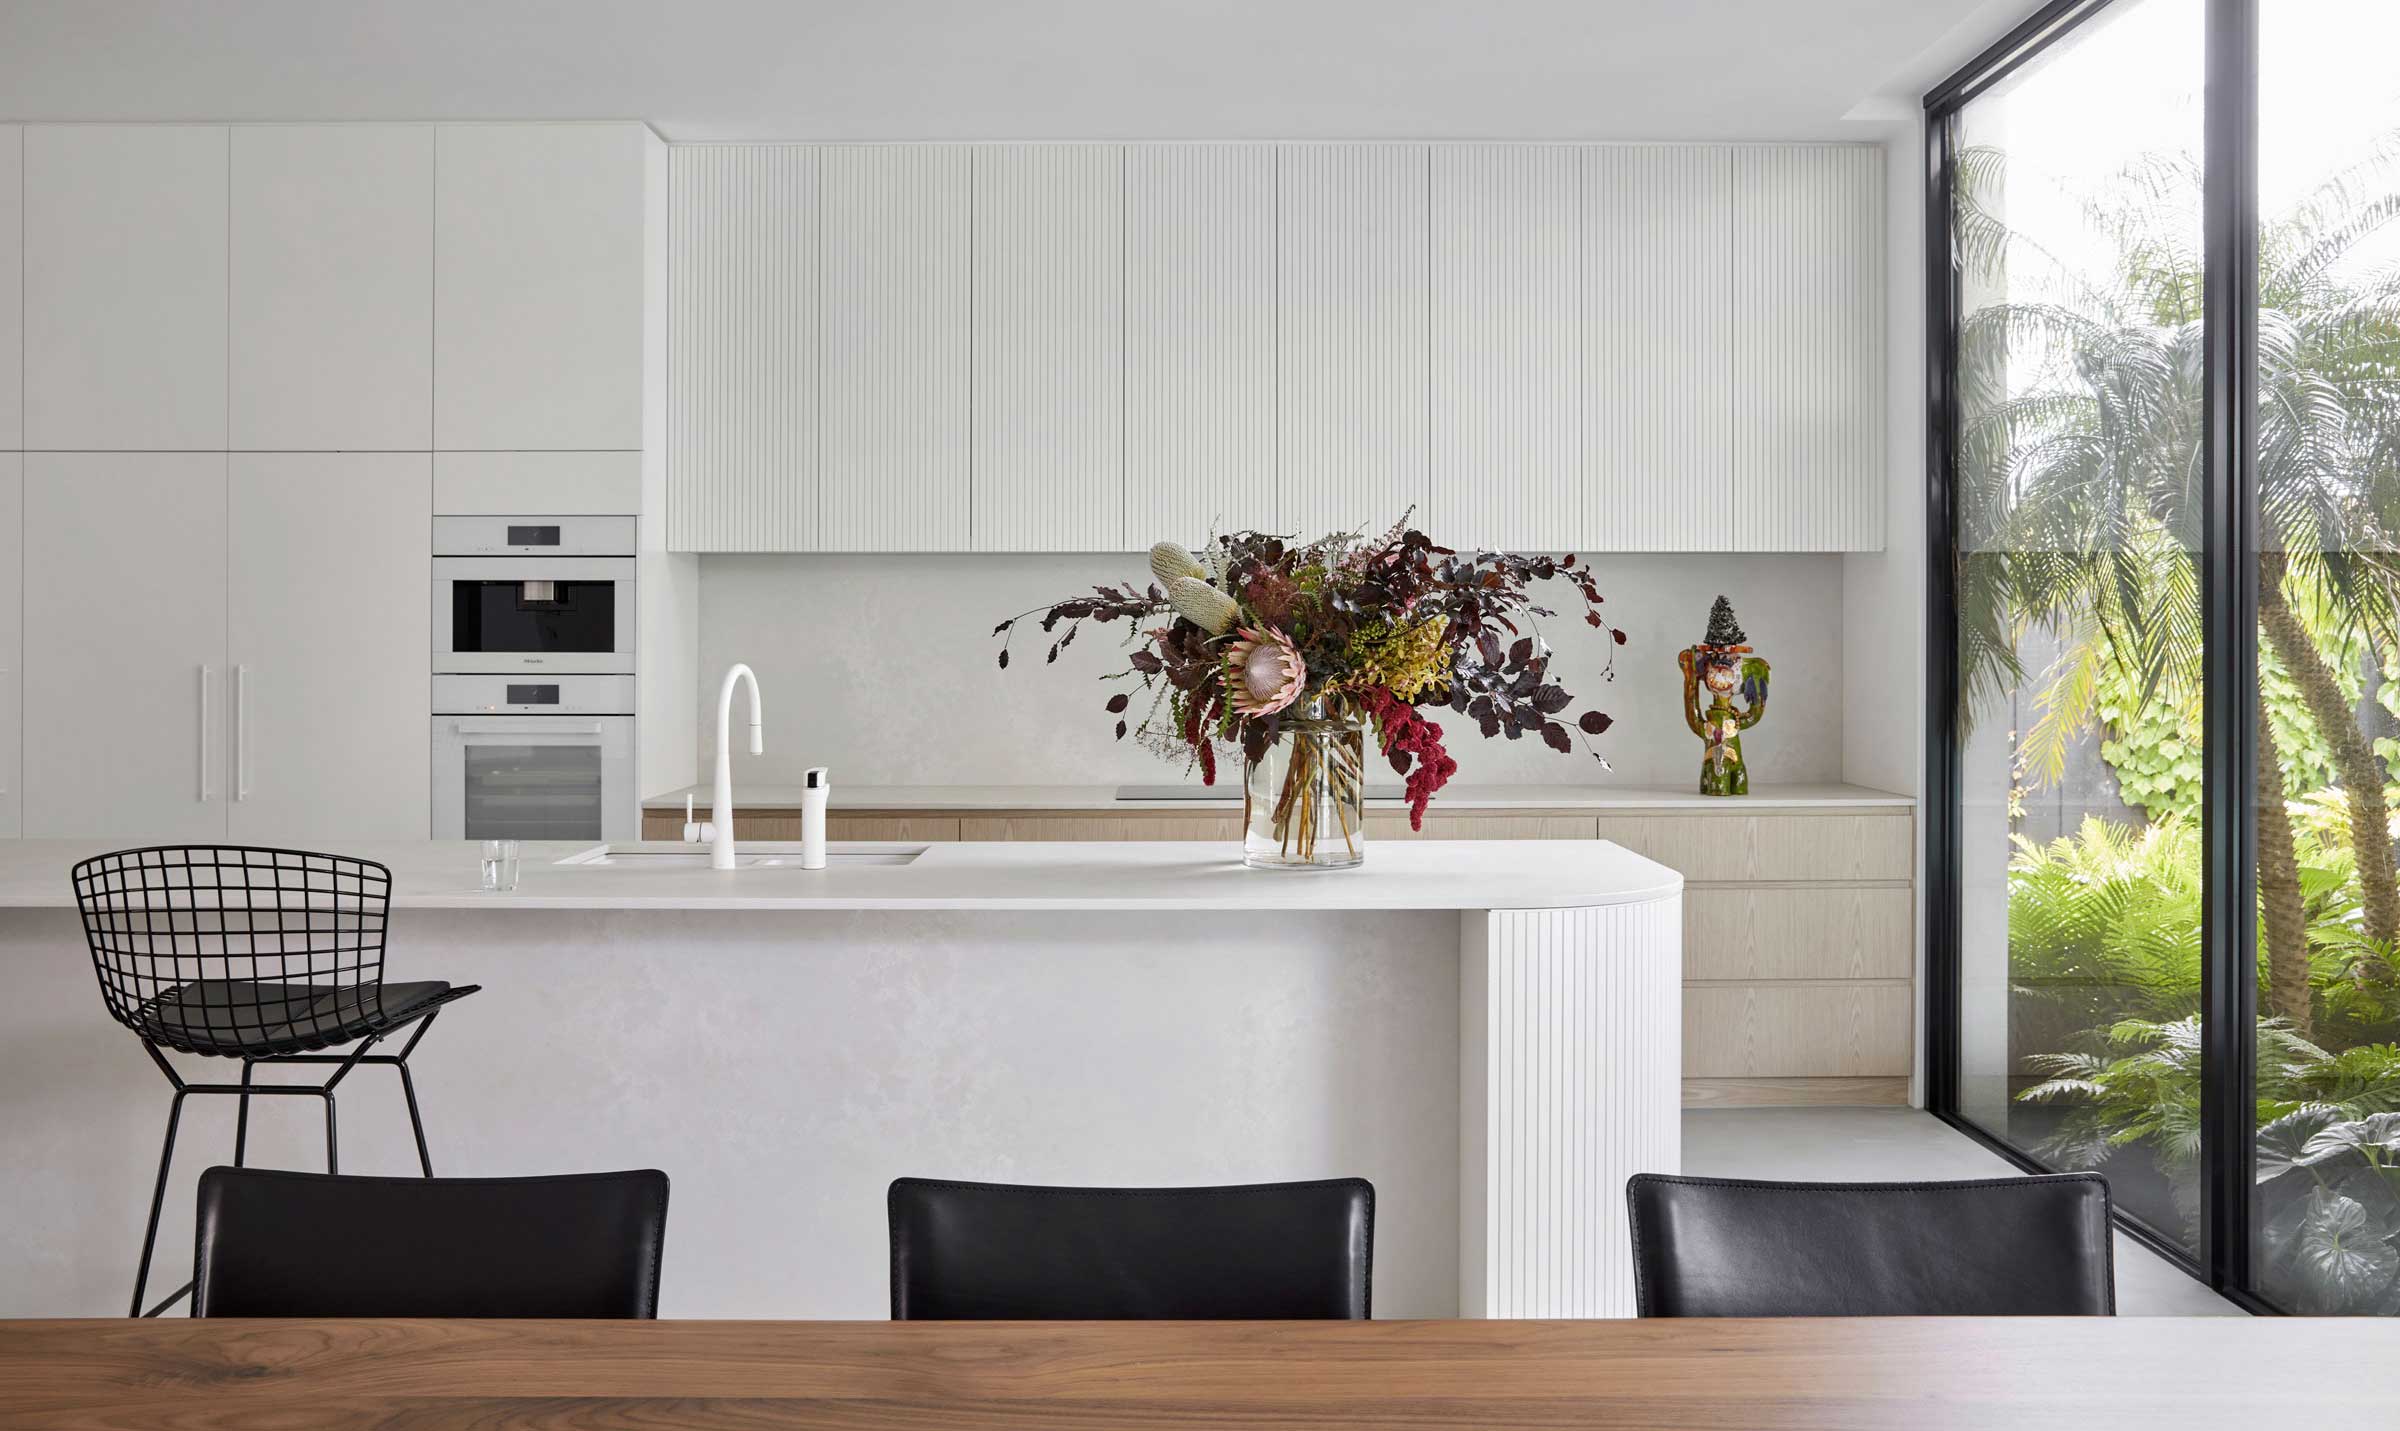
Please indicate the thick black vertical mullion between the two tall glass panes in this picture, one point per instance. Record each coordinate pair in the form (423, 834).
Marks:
(2231, 657)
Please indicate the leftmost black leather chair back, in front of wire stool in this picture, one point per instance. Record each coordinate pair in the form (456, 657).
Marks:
(316, 1245)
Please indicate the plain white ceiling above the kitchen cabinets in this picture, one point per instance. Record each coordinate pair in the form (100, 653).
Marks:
(1007, 68)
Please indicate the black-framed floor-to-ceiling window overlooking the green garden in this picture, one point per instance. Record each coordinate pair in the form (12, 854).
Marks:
(2166, 369)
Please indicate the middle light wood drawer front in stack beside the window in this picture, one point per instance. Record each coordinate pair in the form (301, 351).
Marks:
(1799, 933)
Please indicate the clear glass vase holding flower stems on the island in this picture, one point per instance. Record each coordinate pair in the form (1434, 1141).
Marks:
(1304, 801)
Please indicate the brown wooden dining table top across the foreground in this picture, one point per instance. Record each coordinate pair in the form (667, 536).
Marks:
(2183, 1375)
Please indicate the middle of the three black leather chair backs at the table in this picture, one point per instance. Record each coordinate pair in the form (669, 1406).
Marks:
(1086, 1255)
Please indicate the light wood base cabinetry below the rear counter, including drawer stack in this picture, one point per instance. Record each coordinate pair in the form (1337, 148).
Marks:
(1799, 926)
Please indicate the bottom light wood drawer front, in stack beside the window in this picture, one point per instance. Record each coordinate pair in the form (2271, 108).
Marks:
(1796, 1031)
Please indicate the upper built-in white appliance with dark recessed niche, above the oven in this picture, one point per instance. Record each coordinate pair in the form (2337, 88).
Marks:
(534, 594)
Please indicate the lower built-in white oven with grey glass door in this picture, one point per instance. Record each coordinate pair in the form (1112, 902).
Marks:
(534, 758)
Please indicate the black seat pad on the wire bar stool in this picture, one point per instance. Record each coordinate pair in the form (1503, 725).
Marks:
(260, 1019)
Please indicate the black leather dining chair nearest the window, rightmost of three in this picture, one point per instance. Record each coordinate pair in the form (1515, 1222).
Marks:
(1988, 1247)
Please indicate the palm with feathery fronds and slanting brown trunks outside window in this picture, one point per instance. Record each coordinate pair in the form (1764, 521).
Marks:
(2082, 479)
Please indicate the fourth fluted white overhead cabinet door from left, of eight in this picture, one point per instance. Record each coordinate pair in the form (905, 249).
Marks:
(1199, 340)
